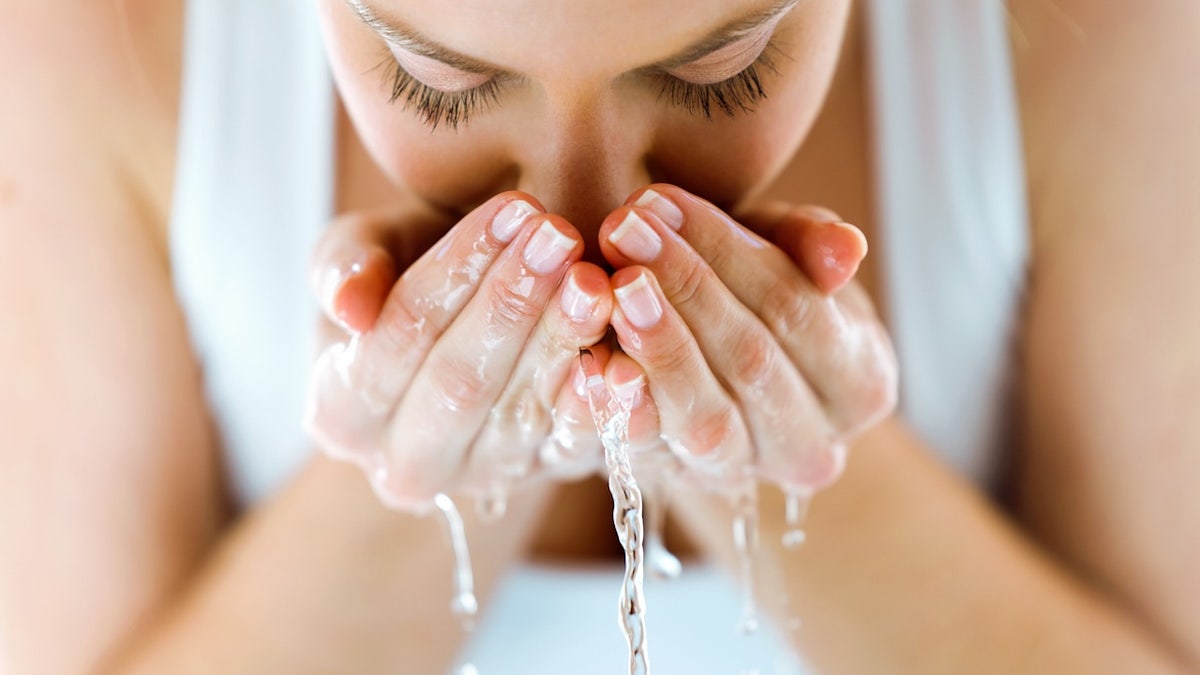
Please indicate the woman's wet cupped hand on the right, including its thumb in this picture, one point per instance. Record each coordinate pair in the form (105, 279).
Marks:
(749, 357)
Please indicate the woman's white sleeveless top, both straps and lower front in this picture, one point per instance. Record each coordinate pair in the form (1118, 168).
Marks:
(255, 187)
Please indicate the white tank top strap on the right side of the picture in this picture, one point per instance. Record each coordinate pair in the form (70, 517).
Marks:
(955, 220)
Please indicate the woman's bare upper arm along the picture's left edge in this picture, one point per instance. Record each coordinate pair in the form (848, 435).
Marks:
(107, 469)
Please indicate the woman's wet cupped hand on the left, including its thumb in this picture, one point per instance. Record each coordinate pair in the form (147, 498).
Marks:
(461, 374)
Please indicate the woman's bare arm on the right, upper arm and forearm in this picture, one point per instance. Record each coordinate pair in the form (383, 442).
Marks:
(908, 570)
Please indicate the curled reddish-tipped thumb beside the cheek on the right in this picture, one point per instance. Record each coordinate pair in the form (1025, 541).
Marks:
(827, 249)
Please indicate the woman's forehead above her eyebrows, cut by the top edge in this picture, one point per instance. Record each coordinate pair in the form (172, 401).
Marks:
(563, 38)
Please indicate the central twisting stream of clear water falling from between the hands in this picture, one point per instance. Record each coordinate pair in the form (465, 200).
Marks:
(611, 415)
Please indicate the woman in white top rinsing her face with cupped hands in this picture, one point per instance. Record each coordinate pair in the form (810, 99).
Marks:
(159, 522)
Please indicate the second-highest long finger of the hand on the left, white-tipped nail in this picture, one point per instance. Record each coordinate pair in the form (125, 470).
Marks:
(466, 371)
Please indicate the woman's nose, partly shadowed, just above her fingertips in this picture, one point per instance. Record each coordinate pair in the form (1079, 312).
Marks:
(589, 159)
